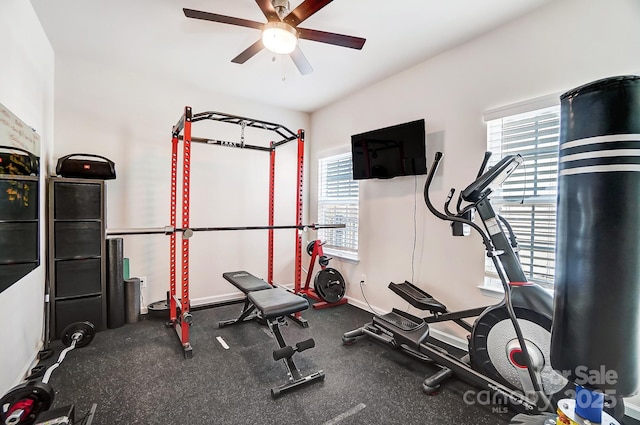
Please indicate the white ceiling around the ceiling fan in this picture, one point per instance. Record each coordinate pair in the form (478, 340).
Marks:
(154, 36)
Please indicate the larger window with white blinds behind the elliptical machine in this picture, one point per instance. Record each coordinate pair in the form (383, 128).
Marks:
(527, 199)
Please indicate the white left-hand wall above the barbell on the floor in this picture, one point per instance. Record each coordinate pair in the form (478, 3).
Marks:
(26, 88)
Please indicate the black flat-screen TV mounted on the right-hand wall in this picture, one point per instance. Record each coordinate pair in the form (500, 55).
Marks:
(389, 152)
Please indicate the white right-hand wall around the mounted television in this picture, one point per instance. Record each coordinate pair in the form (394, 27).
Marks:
(558, 47)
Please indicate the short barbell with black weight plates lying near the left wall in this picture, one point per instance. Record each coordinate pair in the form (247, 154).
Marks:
(24, 402)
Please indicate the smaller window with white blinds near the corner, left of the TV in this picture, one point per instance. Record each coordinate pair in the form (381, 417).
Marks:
(338, 203)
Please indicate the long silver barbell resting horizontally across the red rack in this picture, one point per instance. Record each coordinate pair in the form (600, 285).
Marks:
(188, 231)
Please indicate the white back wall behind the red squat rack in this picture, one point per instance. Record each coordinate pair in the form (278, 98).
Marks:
(128, 117)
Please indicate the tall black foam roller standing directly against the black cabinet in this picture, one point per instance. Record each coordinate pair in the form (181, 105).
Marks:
(115, 283)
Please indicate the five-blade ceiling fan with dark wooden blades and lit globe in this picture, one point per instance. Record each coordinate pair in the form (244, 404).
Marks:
(281, 32)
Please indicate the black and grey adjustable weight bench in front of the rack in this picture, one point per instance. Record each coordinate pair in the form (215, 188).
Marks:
(272, 304)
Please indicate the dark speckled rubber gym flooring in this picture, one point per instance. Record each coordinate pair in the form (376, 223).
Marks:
(137, 374)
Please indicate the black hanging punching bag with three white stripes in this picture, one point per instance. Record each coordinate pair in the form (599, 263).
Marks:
(596, 322)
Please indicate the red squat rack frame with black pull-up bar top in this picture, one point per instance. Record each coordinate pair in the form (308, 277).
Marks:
(182, 131)
